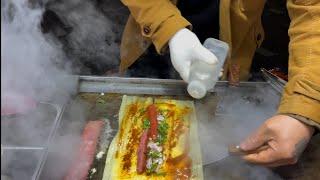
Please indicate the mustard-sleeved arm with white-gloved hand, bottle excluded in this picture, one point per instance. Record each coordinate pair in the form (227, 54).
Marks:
(161, 21)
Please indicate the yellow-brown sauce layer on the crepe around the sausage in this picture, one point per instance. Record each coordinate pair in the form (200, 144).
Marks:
(177, 165)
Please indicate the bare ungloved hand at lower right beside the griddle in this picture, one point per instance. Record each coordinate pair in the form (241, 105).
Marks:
(286, 137)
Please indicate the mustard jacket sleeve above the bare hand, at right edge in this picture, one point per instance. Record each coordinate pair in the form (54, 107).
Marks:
(302, 93)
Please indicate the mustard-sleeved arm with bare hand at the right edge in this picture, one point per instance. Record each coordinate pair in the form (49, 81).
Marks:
(288, 134)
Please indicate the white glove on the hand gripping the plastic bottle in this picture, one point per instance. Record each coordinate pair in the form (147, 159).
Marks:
(186, 48)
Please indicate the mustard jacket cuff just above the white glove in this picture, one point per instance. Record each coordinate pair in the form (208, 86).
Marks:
(166, 30)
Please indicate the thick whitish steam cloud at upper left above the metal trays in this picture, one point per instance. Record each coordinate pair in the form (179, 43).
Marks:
(31, 64)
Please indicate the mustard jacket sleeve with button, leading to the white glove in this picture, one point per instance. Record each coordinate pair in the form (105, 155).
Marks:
(159, 20)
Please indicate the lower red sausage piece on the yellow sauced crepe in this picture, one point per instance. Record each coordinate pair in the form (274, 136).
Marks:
(142, 152)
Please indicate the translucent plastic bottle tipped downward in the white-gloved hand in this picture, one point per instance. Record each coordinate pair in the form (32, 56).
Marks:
(204, 76)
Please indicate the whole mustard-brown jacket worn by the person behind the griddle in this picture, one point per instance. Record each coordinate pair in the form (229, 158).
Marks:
(156, 21)
